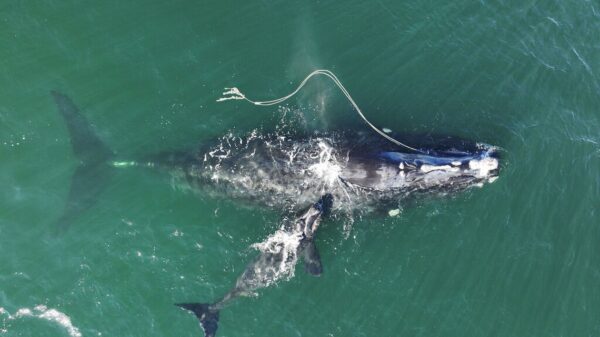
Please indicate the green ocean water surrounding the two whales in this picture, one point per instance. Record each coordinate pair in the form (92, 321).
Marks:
(519, 257)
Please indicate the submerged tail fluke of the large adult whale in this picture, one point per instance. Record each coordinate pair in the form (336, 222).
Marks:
(93, 155)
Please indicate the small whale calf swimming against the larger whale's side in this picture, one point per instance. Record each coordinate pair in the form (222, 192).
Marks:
(277, 259)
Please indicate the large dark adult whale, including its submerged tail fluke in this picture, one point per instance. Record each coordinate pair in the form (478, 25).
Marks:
(289, 171)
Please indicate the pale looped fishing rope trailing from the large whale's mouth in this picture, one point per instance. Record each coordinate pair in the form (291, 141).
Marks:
(235, 94)
